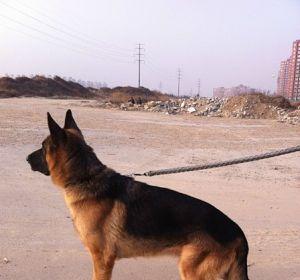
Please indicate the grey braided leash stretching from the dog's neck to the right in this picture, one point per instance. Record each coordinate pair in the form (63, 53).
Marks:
(219, 163)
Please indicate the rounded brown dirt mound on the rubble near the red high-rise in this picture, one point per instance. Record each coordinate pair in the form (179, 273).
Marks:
(255, 105)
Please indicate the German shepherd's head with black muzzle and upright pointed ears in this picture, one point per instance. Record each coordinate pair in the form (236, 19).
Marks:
(59, 150)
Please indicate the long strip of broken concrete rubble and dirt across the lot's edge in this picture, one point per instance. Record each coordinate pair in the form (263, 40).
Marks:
(245, 107)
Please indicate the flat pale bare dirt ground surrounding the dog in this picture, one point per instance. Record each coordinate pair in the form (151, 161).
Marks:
(36, 233)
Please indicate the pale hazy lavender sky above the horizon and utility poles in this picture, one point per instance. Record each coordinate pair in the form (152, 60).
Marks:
(224, 43)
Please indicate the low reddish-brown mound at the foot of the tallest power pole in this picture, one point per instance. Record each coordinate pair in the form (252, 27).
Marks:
(119, 95)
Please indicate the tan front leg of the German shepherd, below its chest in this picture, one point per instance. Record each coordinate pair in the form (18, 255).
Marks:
(103, 266)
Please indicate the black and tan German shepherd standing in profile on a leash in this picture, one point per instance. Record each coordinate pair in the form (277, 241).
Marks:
(118, 217)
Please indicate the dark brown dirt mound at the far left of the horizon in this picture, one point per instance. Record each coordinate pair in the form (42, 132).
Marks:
(42, 86)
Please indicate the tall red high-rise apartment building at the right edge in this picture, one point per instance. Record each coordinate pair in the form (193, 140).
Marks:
(288, 82)
